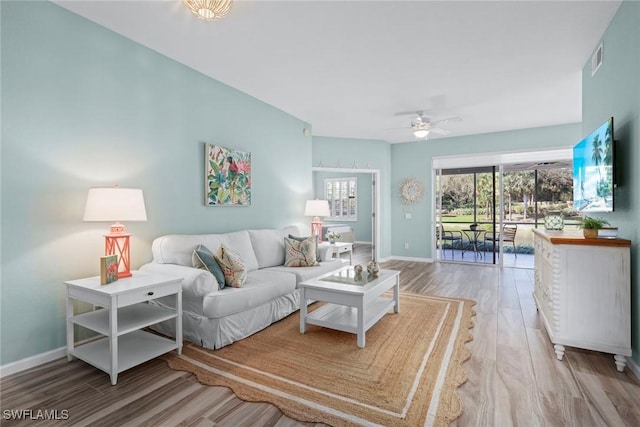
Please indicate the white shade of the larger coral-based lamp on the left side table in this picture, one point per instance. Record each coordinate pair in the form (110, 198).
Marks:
(115, 204)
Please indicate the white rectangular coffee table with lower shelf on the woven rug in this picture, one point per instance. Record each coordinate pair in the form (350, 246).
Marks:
(352, 306)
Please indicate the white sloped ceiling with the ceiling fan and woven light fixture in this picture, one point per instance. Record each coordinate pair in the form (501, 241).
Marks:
(347, 67)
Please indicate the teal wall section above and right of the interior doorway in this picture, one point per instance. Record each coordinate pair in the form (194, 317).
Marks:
(366, 154)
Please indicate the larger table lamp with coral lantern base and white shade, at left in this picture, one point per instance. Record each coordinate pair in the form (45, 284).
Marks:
(116, 204)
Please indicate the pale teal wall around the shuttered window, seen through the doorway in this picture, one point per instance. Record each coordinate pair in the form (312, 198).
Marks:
(361, 227)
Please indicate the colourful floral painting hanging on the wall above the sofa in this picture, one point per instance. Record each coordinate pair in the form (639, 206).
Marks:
(227, 176)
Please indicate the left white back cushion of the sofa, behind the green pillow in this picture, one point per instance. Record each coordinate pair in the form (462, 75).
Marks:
(178, 249)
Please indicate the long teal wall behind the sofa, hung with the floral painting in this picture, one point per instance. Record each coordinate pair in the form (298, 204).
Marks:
(85, 107)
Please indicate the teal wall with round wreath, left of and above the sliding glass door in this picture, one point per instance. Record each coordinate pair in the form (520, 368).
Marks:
(413, 159)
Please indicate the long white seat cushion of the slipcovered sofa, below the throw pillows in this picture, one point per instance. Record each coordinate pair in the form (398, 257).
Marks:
(260, 287)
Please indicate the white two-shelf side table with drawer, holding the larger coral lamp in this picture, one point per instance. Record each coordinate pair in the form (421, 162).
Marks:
(123, 315)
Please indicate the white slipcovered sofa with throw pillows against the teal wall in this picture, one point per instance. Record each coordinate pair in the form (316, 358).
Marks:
(214, 317)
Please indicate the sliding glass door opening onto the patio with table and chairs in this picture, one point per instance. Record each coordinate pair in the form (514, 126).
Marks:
(486, 214)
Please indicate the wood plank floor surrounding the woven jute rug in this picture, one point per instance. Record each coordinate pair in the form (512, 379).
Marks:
(514, 378)
